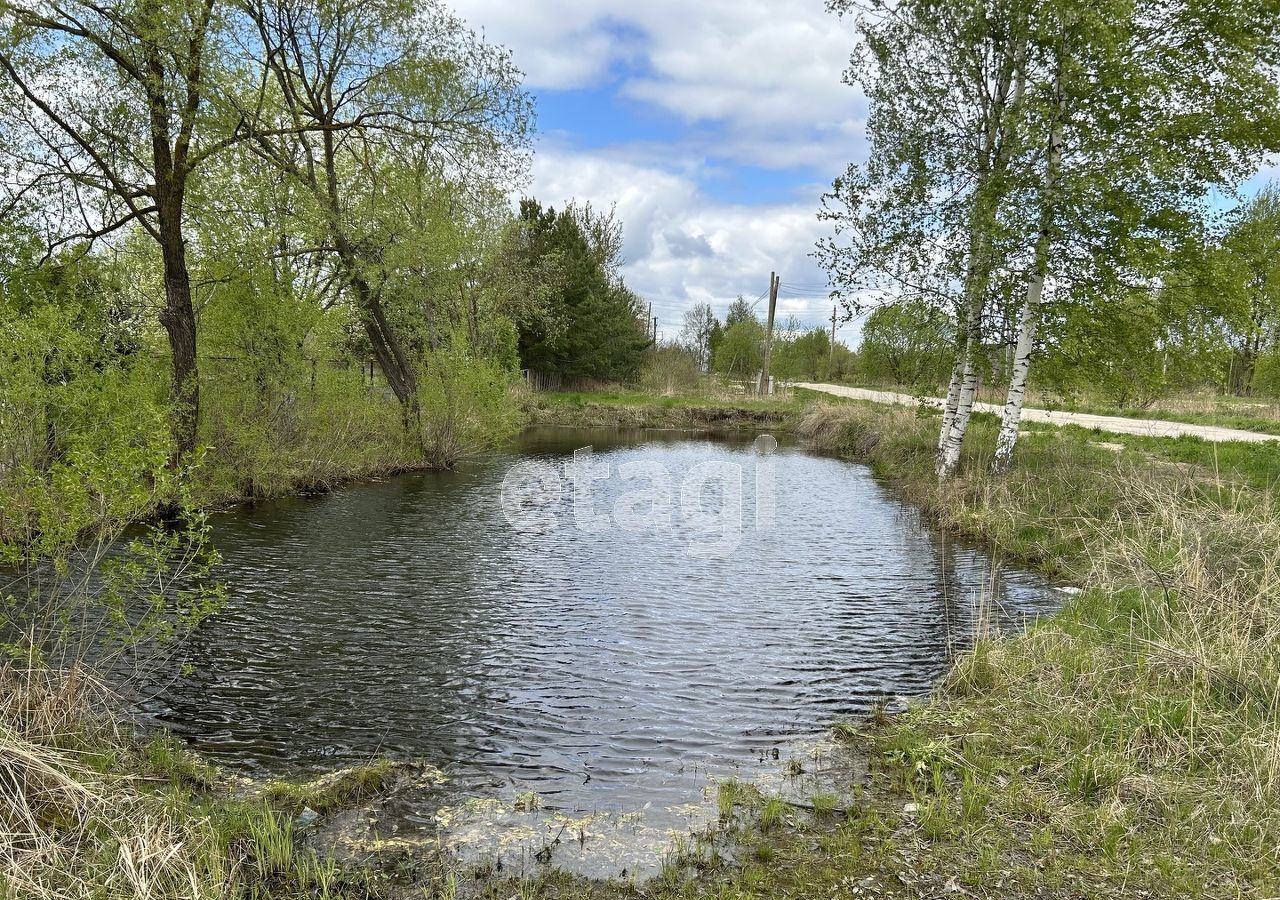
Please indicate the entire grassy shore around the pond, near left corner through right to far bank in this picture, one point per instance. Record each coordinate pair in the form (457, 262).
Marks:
(1128, 747)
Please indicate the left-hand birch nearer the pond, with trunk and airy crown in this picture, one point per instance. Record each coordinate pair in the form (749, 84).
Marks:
(922, 217)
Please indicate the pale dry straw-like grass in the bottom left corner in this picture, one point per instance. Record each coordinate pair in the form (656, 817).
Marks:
(70, 828)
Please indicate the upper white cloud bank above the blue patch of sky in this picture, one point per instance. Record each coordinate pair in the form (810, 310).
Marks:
(764, 77)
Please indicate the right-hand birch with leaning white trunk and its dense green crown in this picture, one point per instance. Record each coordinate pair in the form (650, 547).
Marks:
(1153, 104)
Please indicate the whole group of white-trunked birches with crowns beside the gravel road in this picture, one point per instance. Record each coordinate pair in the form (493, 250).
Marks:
(1062, 145)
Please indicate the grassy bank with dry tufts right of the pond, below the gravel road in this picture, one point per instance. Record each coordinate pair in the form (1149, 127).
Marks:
(1128, 747)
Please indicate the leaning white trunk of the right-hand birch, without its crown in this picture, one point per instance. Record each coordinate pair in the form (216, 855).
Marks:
(1013, 413)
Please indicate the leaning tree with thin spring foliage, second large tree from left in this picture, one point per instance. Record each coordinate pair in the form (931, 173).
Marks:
(368, 93)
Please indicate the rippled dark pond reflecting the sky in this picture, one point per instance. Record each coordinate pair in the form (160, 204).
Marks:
(609, 643)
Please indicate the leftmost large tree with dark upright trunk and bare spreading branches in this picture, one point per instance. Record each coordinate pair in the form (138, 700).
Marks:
(108, 122)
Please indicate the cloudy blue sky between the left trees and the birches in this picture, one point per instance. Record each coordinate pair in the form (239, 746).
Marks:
(714, 126)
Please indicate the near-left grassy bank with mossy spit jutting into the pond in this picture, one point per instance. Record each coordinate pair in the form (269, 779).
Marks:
(86, 812)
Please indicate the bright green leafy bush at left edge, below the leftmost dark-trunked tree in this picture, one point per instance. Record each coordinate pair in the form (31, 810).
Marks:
(86, 447)
